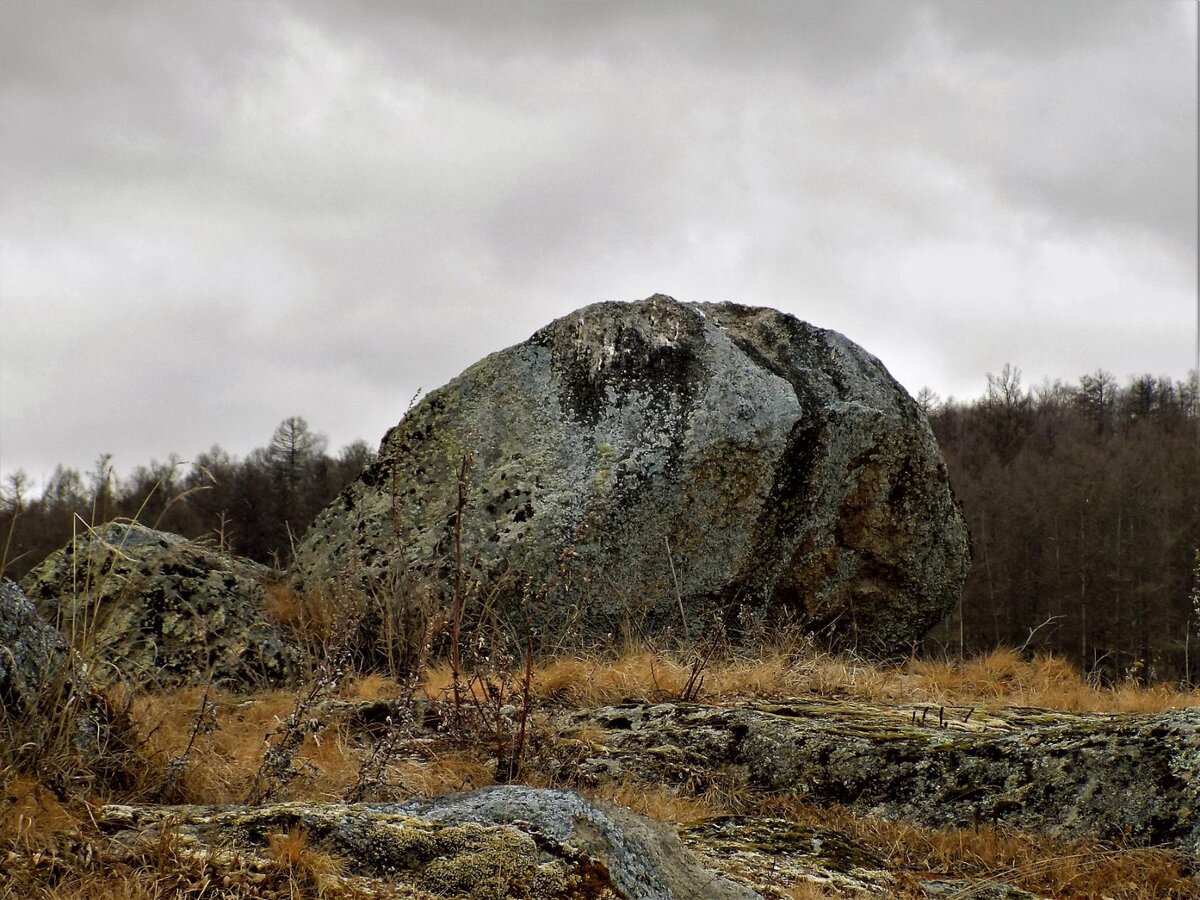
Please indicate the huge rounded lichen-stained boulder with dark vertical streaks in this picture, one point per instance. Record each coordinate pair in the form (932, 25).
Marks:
(662, 466)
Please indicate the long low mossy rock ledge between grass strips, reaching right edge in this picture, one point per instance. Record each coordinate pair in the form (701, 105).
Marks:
(1132, 778)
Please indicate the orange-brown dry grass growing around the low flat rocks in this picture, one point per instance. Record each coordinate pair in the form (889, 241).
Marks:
(203, 746)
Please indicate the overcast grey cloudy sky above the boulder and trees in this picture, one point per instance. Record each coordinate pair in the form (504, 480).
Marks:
(215, 215)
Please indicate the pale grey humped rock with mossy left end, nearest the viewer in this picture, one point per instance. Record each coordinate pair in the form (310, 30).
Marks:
(501, 843)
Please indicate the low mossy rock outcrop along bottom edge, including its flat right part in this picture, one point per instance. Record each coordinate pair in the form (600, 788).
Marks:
(525, 844)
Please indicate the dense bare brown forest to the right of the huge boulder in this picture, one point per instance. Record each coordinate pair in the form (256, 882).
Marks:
(1084, 508)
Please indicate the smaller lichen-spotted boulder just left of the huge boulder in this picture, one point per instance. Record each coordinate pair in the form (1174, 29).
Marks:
(151, 607)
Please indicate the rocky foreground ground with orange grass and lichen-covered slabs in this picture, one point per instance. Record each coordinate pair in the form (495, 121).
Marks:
(363, 790)
